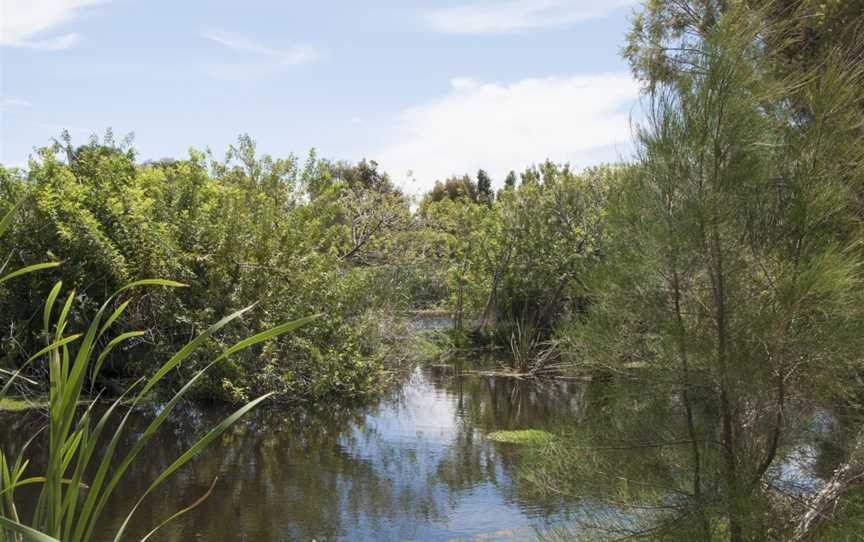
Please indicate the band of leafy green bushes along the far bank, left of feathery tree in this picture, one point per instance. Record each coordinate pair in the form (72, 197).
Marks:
(297, 238)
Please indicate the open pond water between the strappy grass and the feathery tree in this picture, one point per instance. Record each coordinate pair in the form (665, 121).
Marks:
(416, 465)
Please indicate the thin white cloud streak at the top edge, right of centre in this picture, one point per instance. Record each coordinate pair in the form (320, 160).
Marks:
(504, 16)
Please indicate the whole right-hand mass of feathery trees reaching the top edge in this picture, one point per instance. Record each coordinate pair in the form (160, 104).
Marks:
(731, 276)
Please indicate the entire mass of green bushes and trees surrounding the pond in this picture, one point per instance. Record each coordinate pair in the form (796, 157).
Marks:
(721, 268)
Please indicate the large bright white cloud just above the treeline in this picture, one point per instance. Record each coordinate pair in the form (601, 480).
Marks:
(580, 119)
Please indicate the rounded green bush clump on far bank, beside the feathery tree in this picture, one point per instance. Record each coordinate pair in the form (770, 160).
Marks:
(517, 264)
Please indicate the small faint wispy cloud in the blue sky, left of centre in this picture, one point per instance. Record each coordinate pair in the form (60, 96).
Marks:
(266, 59)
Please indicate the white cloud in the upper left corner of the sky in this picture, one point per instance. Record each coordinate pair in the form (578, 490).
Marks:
(24, 23)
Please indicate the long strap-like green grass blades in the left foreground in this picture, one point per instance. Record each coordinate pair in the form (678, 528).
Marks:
(83, 466)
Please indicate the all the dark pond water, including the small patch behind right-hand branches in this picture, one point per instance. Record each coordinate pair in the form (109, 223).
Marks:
(414, 465)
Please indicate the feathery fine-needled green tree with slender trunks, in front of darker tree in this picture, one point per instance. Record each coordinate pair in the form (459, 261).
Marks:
(731, 274)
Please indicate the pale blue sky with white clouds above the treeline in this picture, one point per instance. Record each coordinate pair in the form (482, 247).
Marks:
(425, 88)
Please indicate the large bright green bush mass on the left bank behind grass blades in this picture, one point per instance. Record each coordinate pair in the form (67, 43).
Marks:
(316, 239)
